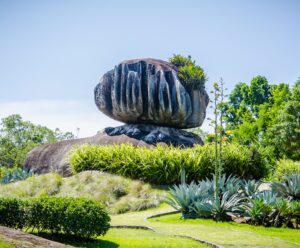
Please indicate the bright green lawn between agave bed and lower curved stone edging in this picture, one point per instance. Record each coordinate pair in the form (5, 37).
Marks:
(228, 234)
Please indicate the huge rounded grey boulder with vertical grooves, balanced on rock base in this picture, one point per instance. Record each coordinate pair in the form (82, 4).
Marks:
(148, 91)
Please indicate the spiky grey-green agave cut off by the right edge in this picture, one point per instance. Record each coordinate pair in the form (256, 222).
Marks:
(290, 188)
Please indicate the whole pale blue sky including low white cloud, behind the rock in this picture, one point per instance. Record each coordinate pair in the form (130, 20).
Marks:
(54, 52)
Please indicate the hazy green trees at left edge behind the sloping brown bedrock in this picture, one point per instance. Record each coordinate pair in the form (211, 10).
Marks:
(18, 137)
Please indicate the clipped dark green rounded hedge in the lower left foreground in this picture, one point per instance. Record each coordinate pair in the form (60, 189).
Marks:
(72, 216)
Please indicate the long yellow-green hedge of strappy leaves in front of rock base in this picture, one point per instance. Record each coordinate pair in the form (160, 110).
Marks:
(163, 164)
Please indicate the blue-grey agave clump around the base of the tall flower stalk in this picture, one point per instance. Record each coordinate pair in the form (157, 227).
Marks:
(198, 200)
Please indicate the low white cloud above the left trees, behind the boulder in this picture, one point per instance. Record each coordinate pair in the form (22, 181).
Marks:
(67, 115)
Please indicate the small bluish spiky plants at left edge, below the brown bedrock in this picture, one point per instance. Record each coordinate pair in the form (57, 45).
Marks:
(14, 174)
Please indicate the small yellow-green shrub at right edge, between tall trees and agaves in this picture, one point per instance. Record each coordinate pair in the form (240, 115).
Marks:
(286, 167)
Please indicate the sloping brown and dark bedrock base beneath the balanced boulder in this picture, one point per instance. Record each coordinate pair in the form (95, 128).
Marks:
(55, 157)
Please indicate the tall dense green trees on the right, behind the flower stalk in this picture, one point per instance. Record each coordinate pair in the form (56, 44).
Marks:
(265, 114)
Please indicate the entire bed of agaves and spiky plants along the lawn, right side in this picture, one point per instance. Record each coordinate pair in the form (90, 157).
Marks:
(278, 206)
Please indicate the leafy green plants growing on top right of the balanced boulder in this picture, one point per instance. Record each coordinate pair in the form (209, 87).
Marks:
(190, 74)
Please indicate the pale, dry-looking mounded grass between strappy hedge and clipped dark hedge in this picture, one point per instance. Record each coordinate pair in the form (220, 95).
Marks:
(119, 194)
